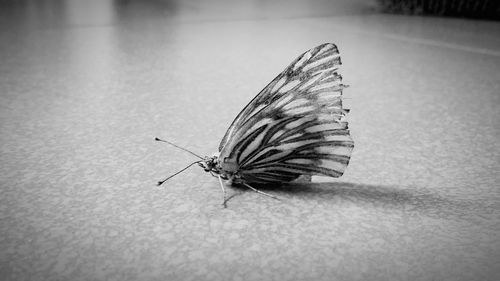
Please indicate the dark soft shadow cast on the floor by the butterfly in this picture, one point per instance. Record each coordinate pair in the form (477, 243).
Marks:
(411, 199)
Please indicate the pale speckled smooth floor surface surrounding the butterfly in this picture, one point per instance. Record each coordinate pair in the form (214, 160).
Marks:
(86, 86)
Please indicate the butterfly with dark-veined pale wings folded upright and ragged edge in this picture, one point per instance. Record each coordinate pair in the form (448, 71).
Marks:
(294, 127)
